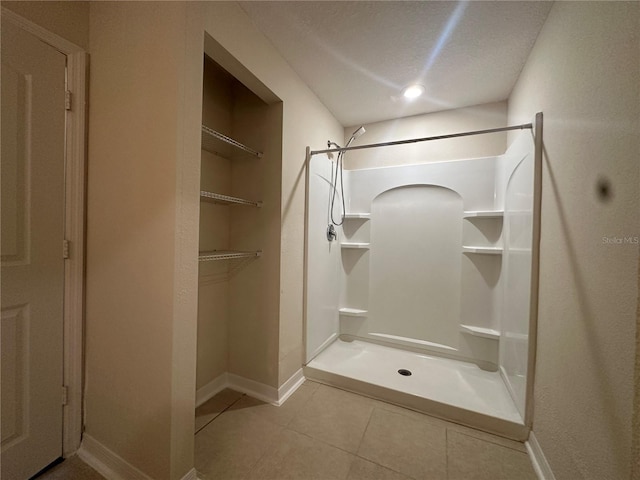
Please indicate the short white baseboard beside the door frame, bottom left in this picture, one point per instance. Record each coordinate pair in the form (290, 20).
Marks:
(107, 463)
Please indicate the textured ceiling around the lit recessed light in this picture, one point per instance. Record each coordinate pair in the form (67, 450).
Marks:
(357, 56)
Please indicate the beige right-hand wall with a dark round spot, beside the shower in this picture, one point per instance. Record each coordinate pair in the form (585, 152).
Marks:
(583, 75)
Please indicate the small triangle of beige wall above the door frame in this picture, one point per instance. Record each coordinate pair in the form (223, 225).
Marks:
(68, 19)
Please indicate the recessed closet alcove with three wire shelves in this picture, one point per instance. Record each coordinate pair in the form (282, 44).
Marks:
(239, 235)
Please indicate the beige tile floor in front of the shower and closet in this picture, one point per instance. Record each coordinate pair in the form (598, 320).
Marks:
(325, 433)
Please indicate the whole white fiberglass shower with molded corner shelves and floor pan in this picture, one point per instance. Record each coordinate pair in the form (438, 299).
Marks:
(427, 297)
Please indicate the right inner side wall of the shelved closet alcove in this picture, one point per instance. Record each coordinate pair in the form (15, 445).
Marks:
(253, 313)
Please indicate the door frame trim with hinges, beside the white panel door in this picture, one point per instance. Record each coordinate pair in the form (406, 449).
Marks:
(75, 175)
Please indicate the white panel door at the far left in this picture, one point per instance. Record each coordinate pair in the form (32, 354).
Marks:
(32, 217)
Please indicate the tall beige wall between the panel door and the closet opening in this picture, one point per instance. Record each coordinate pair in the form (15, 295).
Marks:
(139, 373)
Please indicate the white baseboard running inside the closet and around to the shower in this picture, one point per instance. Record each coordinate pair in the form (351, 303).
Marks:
(266, 393)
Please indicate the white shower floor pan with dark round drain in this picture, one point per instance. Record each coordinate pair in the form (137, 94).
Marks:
(450, 389)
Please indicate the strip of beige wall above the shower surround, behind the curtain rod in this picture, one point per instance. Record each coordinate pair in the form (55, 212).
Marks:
(491, 115)
